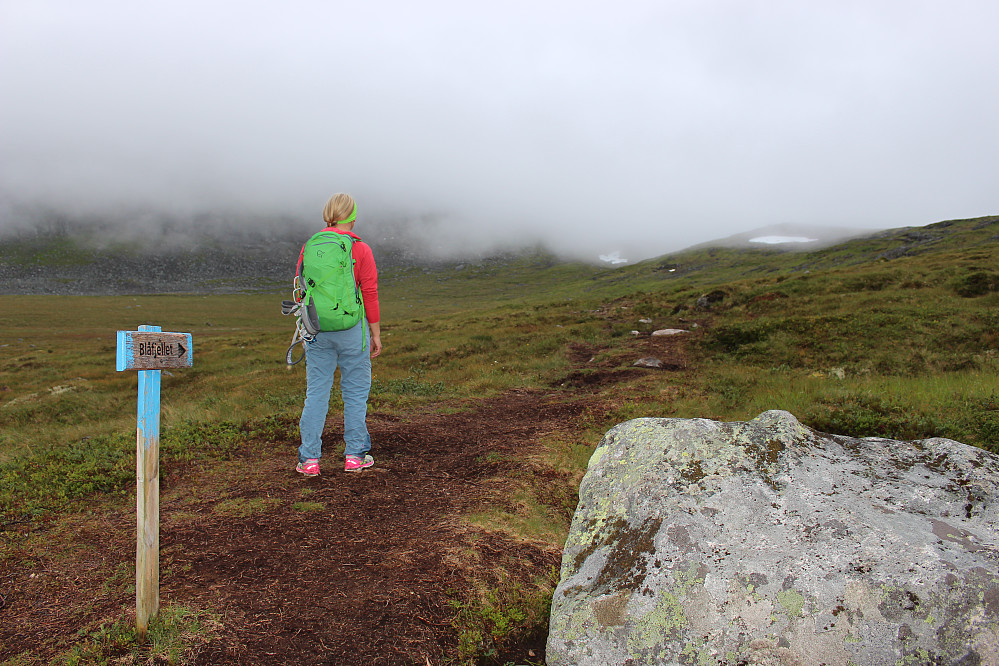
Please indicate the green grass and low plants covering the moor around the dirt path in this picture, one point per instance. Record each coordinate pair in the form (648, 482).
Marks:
(845, 338)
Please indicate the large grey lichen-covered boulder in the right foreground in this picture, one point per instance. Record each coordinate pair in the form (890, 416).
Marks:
(698, 542)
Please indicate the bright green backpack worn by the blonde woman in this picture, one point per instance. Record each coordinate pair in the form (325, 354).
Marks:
(332, 301)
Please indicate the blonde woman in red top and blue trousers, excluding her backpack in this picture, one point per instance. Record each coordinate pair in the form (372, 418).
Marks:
(347, 349)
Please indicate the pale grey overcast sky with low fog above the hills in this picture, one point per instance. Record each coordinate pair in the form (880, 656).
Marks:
(640, 126)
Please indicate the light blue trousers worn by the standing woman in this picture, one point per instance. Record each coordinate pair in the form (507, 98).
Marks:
(350, 350)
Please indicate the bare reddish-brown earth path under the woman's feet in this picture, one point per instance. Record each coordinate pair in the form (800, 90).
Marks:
(365, 574)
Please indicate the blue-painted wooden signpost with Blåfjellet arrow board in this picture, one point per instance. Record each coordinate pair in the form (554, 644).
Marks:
(149, 350)
